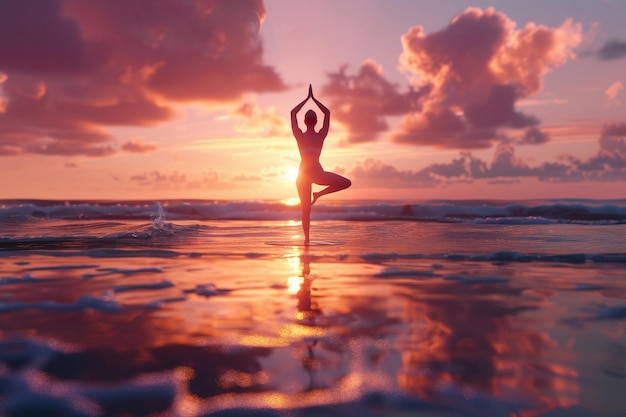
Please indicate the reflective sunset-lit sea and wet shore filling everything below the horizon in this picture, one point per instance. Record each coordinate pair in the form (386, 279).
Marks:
(398, 308)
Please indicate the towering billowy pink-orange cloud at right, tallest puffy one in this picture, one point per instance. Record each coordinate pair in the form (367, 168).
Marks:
(478, 68)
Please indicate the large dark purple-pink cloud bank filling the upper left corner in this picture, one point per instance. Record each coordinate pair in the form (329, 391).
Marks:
(69, 70)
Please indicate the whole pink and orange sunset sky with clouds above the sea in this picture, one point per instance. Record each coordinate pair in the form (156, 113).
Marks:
(142, 99)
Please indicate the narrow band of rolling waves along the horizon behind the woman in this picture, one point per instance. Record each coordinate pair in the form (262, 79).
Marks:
(475, 211)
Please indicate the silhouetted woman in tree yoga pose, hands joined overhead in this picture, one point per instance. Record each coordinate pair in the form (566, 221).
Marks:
(311, 172)
